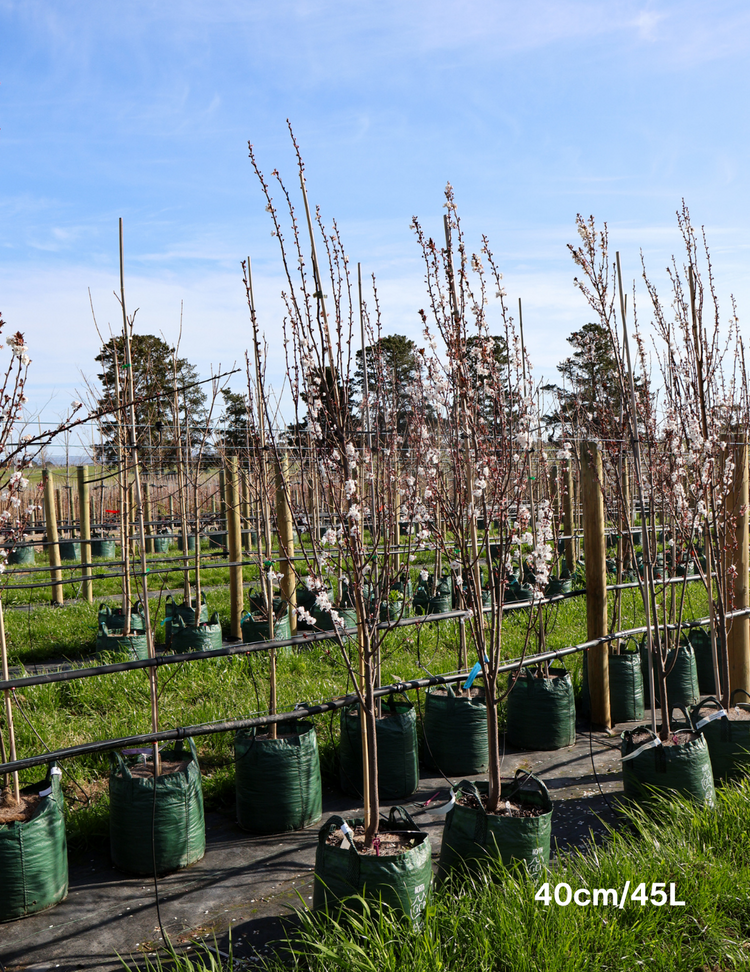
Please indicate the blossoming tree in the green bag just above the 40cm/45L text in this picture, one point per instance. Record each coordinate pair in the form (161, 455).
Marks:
(487, 432)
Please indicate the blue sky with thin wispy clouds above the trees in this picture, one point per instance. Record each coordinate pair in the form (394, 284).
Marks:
(534, 112)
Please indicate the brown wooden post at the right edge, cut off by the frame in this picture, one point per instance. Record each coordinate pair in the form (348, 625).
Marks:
(738, 634)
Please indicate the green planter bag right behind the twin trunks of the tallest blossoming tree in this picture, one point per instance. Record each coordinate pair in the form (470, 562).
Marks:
(398, 763)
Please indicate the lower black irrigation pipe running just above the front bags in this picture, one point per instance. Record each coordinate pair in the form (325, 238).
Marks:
(305, 711)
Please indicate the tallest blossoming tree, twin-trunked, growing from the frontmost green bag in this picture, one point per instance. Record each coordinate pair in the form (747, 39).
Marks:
(319, 340)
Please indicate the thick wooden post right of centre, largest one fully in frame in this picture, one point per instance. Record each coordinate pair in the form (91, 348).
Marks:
(592, 500)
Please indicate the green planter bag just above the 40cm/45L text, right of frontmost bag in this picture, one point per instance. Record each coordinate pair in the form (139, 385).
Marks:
(473, 837)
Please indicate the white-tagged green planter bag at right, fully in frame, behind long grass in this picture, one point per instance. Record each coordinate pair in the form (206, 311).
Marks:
(649, 767)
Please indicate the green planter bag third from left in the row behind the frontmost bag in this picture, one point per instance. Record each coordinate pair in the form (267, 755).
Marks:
(278, 780)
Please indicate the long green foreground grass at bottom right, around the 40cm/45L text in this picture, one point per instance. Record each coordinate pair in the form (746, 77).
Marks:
(498, 926)
